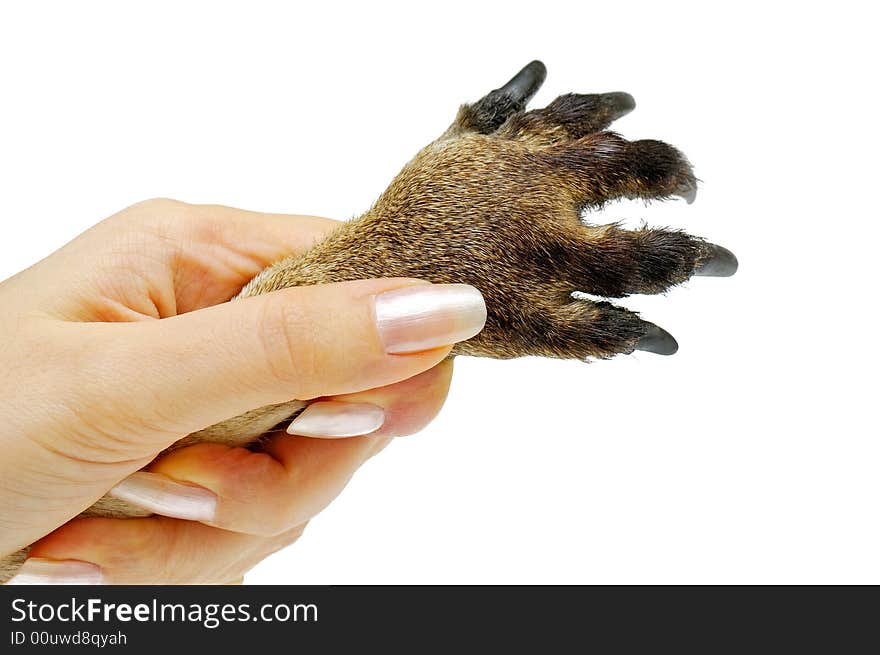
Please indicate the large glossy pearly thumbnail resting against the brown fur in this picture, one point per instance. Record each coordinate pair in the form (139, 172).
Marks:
(422, 317)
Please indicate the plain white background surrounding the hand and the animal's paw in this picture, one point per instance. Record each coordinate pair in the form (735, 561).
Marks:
(749, 457)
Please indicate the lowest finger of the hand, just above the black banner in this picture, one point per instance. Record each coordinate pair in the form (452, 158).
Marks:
(154, 550)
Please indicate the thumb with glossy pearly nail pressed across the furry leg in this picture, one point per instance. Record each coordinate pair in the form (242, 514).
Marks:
(184, 373)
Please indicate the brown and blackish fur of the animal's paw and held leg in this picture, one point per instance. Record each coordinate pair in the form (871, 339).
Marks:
(495, 202)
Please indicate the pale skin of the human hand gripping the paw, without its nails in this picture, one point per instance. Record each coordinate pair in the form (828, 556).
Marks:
(122, 342)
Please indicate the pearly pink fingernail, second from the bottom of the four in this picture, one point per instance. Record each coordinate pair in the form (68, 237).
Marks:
(162, 495)
